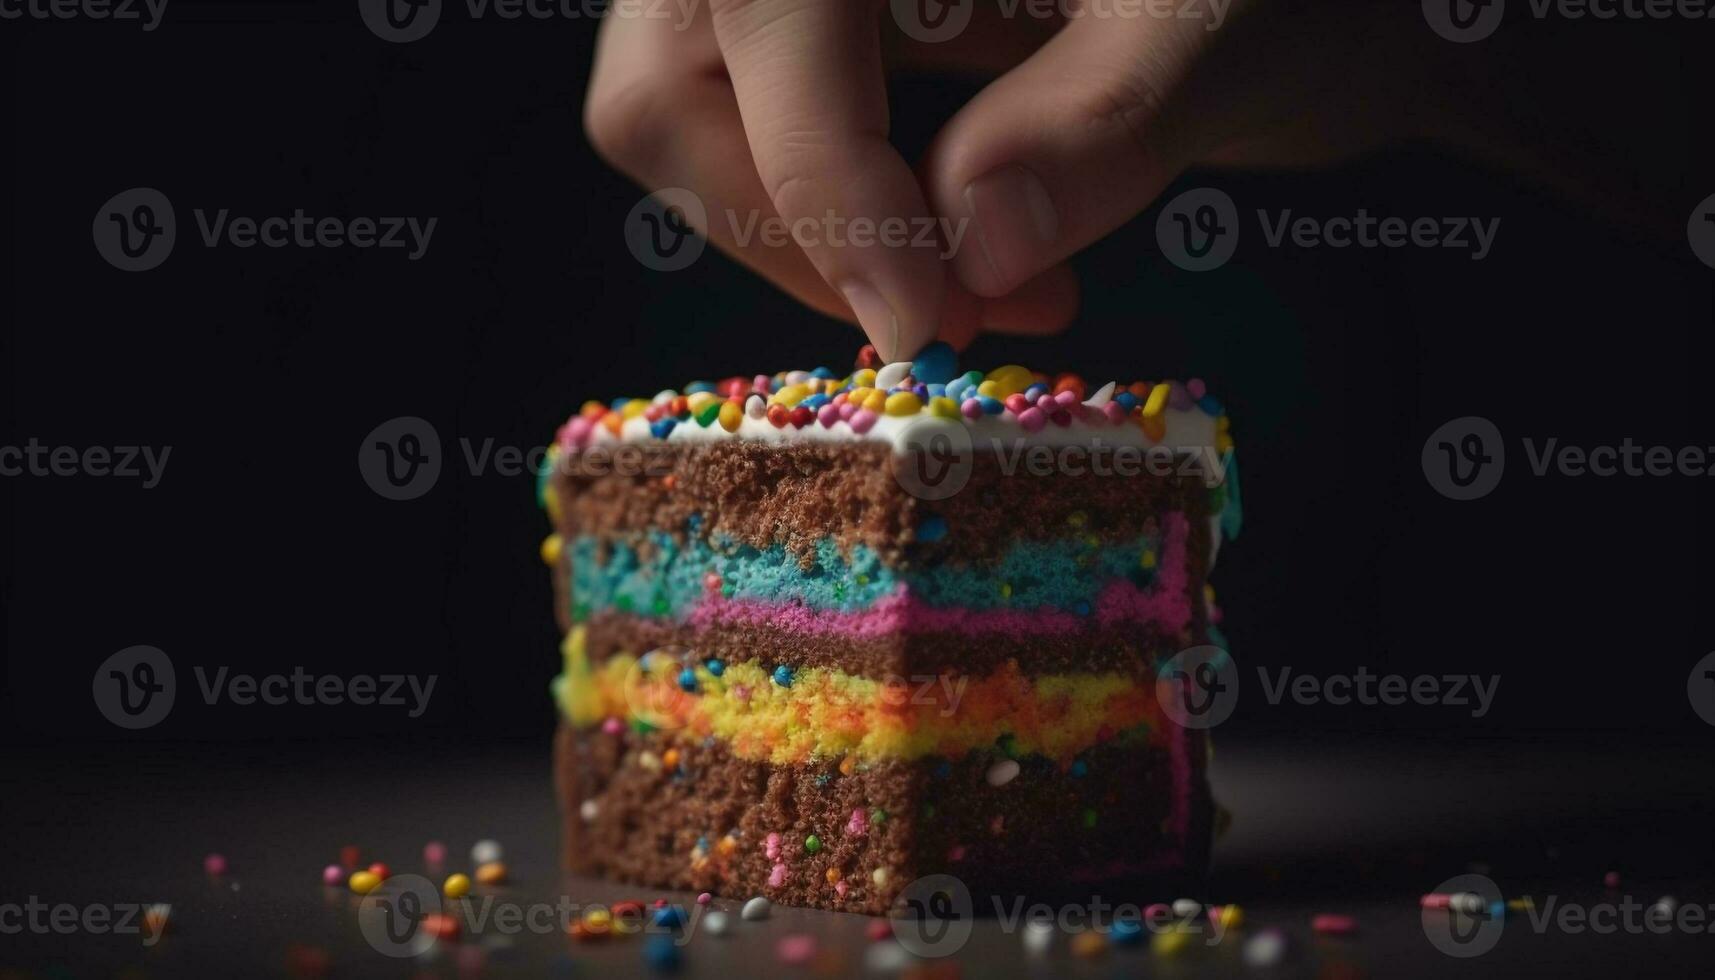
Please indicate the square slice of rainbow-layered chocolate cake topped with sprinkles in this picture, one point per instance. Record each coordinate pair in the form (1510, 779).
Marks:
(833, 632)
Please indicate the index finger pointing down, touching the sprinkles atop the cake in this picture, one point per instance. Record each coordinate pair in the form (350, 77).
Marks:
(812, 95)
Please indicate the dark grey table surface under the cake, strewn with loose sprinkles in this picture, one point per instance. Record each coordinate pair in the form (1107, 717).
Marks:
(1359, 826)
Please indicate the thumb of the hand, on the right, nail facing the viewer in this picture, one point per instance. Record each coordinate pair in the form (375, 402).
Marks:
(1068, 147)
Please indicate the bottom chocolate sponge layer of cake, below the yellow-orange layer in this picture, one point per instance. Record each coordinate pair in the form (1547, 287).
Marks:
(661, 811)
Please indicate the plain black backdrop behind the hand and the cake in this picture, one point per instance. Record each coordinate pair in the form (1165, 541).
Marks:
(263, 370)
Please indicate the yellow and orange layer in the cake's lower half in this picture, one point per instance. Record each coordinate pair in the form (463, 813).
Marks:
(833, 715)
